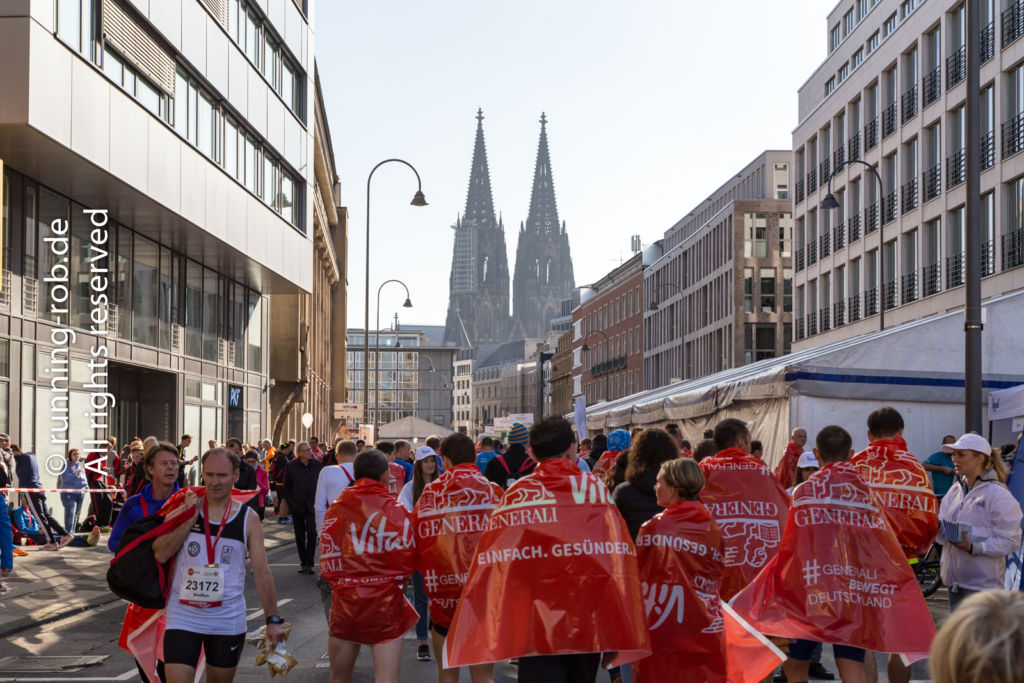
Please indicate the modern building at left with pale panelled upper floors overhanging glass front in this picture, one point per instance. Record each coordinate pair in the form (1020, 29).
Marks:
(157, 183)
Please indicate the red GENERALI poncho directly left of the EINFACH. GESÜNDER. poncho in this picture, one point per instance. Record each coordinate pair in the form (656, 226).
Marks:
(448, 522)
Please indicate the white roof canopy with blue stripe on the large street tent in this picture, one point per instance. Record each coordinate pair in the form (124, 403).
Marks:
(921, 361)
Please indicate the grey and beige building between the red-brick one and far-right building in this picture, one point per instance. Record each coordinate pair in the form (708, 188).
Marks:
(720, 294)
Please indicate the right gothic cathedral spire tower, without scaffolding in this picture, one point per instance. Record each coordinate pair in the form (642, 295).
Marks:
(543, 266)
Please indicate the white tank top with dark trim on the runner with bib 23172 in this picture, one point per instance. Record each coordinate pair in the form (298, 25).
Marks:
(230, 618)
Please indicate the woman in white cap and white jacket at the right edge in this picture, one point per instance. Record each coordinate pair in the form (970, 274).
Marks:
(990, 519)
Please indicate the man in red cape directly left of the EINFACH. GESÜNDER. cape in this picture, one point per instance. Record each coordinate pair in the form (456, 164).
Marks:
(449, 520)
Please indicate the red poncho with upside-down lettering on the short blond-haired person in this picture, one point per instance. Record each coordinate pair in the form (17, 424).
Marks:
(680, 554)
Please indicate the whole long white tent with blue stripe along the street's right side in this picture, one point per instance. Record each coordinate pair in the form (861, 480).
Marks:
(918, 368)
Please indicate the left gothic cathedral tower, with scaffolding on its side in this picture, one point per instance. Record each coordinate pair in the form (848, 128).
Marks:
(479, 287)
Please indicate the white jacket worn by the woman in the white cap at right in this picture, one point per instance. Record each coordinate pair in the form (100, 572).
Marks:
(994, 517)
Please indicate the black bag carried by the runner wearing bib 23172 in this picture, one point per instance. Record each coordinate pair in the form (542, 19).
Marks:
(135, 574)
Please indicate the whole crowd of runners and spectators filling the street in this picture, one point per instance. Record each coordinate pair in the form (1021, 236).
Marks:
(563, 556)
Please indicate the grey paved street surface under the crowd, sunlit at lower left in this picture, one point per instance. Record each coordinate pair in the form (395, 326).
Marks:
(67, 592)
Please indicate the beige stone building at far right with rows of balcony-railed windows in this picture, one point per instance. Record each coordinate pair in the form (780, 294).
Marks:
(891, 93)
